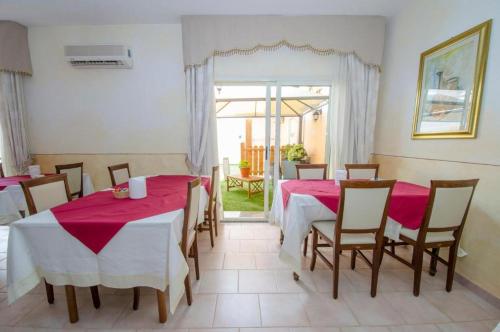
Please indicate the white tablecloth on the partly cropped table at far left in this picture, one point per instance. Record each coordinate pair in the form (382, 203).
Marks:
(12, 200)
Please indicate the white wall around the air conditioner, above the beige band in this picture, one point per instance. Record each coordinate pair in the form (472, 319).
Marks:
(141, 110)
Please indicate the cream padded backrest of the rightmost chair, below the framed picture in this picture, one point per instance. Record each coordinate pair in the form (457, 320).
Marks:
(449, 206)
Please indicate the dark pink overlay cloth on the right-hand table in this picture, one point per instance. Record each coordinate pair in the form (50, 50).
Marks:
(407, 206)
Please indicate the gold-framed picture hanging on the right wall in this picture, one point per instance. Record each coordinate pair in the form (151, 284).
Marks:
(450, 84)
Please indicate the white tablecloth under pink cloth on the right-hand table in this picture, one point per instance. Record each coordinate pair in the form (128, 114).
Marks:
(296, 220)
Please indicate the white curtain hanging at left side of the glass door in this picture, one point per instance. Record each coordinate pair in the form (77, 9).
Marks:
(202, 153)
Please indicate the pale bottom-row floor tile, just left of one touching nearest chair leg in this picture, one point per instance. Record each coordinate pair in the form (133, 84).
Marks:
(282, 310)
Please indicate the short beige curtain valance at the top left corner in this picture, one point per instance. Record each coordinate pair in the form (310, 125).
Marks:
(14, 51)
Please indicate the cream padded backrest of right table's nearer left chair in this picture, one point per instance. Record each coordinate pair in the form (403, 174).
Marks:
(364, 207)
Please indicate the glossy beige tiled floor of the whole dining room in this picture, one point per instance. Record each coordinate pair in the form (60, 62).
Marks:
(245, 287)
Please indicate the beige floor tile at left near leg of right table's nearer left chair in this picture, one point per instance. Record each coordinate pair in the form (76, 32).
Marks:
(323, 310)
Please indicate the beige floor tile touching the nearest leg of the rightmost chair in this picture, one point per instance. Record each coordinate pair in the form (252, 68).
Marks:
(415, 310)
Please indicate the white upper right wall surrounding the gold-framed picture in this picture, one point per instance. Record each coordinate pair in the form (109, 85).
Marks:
(424, 24)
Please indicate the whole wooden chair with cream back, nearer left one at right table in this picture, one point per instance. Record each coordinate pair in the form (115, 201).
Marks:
(360, 225)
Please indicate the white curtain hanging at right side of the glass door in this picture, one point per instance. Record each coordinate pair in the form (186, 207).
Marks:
(353, 105)
